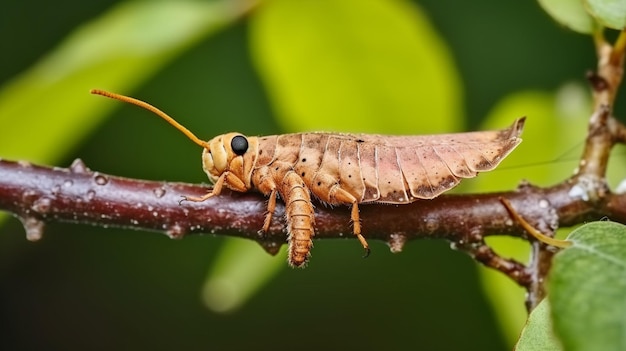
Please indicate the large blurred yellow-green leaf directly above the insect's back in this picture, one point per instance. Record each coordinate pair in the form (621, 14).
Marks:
(366, 66)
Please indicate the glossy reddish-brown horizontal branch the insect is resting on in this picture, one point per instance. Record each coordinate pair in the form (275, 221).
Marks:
(37, 195)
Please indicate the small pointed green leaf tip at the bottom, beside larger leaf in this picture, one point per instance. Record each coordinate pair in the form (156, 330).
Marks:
(537, 334)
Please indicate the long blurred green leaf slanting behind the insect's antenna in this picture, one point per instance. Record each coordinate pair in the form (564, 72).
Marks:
(47, 110)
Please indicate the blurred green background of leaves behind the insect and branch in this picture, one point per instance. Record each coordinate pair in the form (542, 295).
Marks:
(381, 66)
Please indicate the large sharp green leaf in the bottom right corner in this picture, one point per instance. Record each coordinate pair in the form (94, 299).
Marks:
(587, 288)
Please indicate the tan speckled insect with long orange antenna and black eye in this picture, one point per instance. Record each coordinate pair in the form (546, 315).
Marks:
(341, 169)
